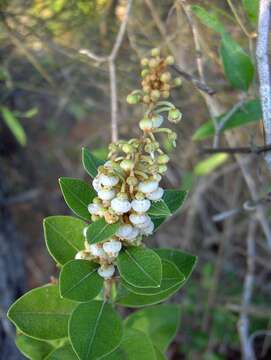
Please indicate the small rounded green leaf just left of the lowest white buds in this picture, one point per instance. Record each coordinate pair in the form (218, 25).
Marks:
(79, 281)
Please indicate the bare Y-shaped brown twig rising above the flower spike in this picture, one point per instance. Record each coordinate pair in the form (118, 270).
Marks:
(110, 59)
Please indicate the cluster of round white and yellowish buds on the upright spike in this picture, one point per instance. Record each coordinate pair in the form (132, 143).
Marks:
(128, 183)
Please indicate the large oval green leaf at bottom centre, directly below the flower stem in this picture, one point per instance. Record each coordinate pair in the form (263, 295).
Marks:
(95, 329)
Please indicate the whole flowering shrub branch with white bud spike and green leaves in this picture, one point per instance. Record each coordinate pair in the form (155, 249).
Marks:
(103, 257)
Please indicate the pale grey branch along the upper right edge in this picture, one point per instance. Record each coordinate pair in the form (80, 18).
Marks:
(264, 69)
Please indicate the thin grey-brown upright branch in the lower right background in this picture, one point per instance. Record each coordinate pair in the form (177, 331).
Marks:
(243, 323)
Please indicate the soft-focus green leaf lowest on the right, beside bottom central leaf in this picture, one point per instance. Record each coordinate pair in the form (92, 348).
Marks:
(160, 323)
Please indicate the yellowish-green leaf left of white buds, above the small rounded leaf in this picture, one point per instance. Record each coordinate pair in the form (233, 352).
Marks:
(63, 237)
